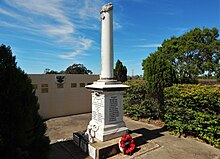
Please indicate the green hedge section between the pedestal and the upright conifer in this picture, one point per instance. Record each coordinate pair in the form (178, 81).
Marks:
(136, 102)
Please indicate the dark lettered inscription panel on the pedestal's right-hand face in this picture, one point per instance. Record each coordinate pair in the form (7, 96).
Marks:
(113, 109)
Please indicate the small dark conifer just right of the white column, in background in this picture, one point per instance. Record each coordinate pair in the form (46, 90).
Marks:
(120, 71)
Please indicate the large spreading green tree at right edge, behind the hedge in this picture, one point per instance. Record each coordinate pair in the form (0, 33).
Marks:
(194, 53)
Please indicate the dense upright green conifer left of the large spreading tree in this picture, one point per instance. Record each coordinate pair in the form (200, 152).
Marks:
(158, 73)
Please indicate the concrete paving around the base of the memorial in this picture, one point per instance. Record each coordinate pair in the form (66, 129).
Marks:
(157, 143)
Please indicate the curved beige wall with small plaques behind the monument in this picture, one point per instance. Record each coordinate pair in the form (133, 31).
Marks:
(60, 99)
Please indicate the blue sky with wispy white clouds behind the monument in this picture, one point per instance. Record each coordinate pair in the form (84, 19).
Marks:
(55, 34)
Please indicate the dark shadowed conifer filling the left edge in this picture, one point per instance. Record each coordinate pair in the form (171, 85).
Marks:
(21, 127)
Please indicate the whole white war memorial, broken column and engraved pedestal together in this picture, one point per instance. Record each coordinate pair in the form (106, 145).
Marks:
(107, 94)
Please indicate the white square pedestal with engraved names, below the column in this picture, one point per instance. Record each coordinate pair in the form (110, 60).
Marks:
(107, 110)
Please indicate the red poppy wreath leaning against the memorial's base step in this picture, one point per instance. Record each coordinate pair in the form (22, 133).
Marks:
(126, 144)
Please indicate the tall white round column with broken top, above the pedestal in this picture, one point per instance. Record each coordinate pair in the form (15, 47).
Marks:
(107, 42)
